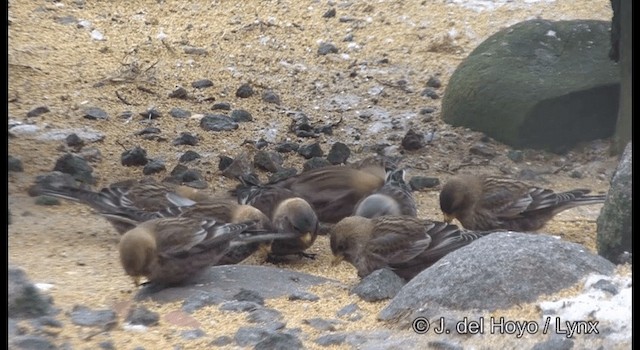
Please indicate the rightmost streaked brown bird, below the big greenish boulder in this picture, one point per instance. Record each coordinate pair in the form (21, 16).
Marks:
(482, 202)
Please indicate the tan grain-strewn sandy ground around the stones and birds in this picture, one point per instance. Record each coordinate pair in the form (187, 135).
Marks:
(272, 45)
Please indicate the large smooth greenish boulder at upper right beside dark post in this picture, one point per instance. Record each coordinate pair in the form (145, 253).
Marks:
(538, 84)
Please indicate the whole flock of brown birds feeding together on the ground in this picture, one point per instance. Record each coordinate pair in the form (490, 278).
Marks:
(170, 232)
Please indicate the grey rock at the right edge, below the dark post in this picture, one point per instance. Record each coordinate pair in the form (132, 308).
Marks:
(614, 222)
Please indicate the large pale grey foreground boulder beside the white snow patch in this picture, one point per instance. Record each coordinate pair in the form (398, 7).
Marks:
(496, 271)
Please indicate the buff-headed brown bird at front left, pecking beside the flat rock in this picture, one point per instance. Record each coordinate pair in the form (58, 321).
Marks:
(167, 251)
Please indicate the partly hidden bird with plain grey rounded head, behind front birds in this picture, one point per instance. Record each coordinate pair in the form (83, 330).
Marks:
(393, 198)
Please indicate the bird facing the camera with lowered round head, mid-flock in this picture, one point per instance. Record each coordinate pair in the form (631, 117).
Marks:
(294, 215)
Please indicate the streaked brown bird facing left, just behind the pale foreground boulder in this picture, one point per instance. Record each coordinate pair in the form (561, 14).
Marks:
(404, 244)
